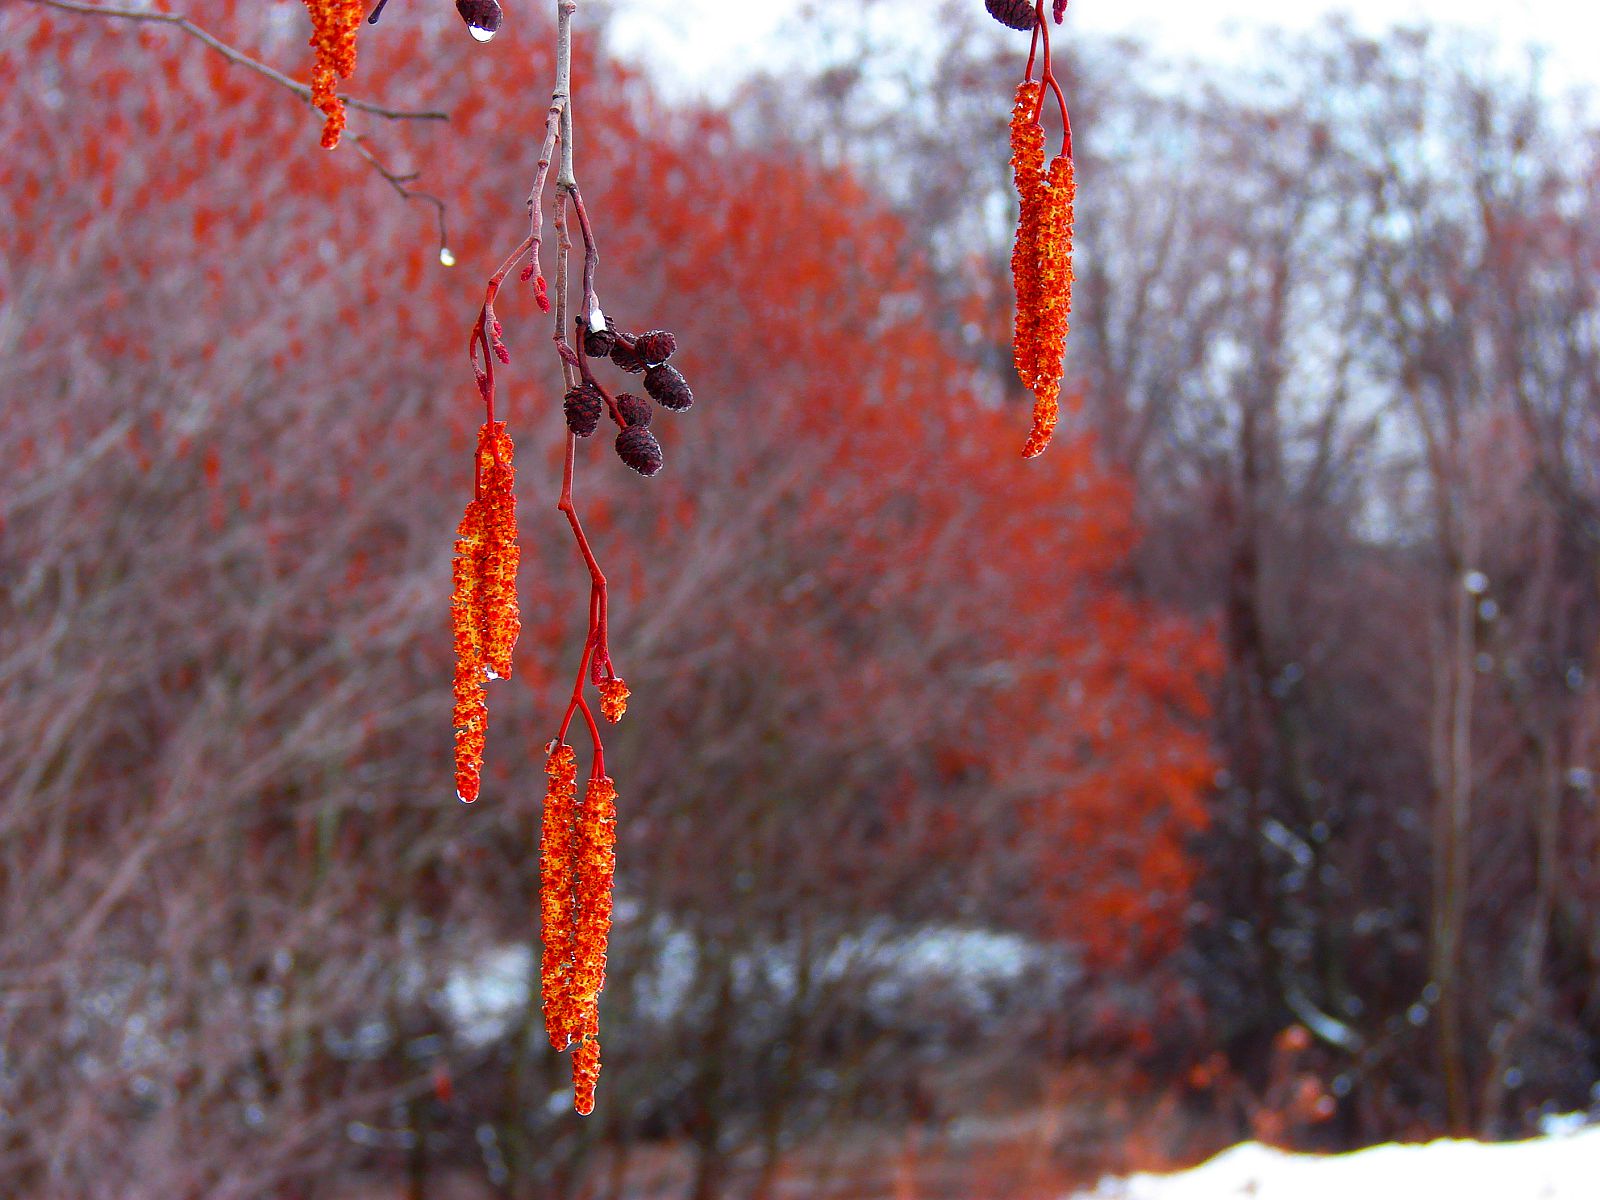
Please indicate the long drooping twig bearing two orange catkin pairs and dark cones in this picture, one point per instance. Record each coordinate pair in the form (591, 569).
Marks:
(578, 838)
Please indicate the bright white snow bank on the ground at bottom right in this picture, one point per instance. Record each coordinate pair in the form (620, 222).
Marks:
(1558, 1167)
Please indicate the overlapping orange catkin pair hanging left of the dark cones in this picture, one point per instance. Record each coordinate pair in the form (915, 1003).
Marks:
(484, 614)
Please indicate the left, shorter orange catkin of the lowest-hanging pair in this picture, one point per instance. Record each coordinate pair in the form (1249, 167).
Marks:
(556, 895)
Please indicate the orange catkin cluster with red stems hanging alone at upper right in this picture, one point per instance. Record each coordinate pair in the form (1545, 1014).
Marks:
(1042, 254)
